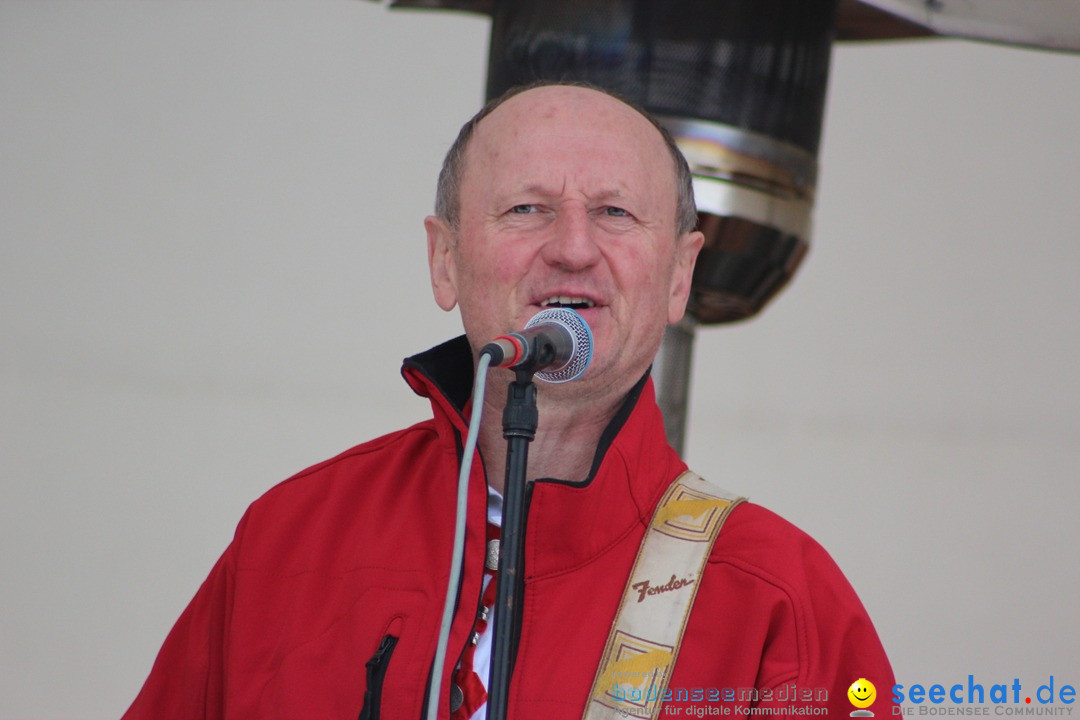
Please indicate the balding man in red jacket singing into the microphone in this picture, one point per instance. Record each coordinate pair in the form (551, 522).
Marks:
(328, 603)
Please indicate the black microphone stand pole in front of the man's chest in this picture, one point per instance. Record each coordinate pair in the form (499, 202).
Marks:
(519, 427)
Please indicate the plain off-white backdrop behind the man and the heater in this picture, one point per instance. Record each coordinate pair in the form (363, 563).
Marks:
(212, 263)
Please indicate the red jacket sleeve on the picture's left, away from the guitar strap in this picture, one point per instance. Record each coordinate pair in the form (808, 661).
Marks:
(187, 680)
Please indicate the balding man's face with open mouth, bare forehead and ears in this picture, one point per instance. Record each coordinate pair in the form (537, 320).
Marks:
(568, 199)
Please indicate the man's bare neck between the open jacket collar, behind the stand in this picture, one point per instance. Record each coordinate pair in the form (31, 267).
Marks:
(568, 436)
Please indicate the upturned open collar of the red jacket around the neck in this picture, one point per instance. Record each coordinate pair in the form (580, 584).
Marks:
(570, 523)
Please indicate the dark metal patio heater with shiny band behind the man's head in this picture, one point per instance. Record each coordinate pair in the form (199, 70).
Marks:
(741, 86)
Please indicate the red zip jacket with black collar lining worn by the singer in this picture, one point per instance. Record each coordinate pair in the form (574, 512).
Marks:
(333, 588)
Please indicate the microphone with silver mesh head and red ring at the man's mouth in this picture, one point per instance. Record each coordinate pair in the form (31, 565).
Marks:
(557, 338)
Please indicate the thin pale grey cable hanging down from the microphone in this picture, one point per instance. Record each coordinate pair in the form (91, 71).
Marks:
(435, 688)
